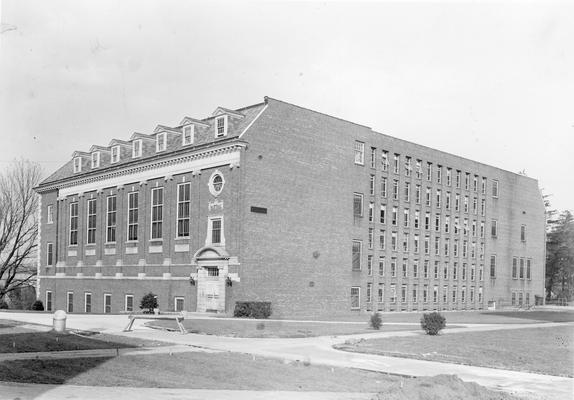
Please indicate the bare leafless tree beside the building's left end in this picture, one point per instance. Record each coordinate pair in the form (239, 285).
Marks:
(18, 225)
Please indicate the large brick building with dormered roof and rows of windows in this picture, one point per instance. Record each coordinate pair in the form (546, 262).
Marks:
(275, 202)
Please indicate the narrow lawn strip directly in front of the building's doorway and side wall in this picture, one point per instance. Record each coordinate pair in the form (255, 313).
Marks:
(252, 328)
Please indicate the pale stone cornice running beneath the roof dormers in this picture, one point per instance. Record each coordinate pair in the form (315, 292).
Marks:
(159, 162)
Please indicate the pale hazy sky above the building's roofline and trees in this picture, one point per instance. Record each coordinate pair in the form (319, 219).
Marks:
(490, 81)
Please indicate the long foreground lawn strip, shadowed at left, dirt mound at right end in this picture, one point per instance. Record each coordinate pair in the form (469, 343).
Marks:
(234, 371)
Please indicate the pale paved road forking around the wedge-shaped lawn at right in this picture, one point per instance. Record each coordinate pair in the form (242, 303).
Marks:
(318, 350)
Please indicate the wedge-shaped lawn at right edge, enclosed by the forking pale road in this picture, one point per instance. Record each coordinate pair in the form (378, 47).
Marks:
(540, 350)
